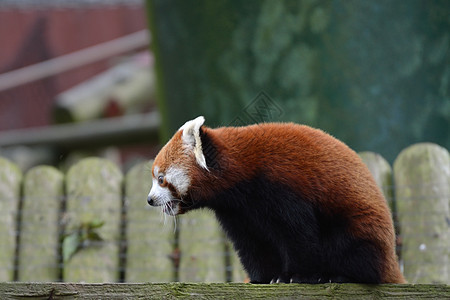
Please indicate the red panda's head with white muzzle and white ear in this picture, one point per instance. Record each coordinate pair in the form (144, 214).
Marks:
(175, 167)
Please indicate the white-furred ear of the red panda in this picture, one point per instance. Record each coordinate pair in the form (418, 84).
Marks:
(191, 138)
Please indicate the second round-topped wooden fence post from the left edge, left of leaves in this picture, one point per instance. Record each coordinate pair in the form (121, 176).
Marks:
(40, 228)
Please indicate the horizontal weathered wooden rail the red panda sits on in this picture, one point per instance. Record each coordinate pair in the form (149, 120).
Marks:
(17, 290)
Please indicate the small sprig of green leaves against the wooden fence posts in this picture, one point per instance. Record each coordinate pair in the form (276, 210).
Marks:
(80, 237)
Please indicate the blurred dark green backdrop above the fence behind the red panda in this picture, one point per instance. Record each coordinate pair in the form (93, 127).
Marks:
(375, 74)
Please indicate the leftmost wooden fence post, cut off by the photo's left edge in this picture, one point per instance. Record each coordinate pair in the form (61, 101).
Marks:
(10, 180)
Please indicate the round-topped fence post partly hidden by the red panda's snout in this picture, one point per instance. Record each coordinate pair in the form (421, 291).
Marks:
(149, 241)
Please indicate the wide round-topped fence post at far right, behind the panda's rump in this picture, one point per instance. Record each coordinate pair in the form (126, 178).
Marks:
(422, 181)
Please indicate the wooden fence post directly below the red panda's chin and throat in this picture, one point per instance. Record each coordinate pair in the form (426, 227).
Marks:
(202, 245)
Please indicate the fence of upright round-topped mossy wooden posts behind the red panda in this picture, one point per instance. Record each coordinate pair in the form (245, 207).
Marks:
(93, 224)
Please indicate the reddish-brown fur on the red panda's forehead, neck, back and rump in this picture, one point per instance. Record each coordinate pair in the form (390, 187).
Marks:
(305, 159)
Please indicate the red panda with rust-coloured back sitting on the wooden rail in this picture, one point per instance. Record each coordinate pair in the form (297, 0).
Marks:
(299, 205)
